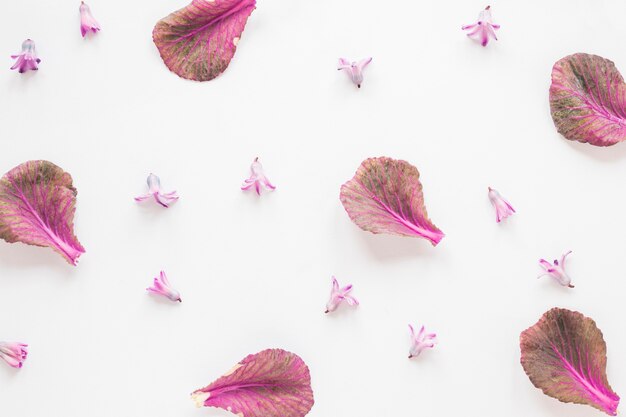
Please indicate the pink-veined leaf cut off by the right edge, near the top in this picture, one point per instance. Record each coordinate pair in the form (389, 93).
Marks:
(588, 100)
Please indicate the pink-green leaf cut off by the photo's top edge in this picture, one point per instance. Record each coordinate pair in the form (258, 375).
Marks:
(198, 41)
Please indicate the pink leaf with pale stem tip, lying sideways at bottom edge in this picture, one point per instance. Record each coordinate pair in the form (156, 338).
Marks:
(271, 383)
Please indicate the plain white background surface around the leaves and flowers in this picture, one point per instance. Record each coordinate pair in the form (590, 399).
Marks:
(255, 272)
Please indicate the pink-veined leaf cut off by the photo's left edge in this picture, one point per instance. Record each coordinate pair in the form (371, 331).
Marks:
(37, 204)
